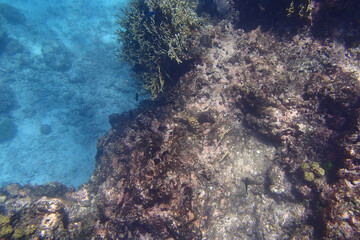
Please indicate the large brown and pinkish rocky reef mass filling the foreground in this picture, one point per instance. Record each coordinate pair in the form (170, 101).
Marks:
(258, 140)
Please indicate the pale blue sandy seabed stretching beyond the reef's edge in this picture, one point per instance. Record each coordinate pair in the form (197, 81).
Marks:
(62, 70)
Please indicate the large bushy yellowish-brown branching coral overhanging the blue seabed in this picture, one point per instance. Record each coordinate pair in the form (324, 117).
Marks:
(155, 32)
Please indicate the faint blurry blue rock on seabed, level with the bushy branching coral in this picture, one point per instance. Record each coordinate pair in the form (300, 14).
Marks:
(56, 56)
